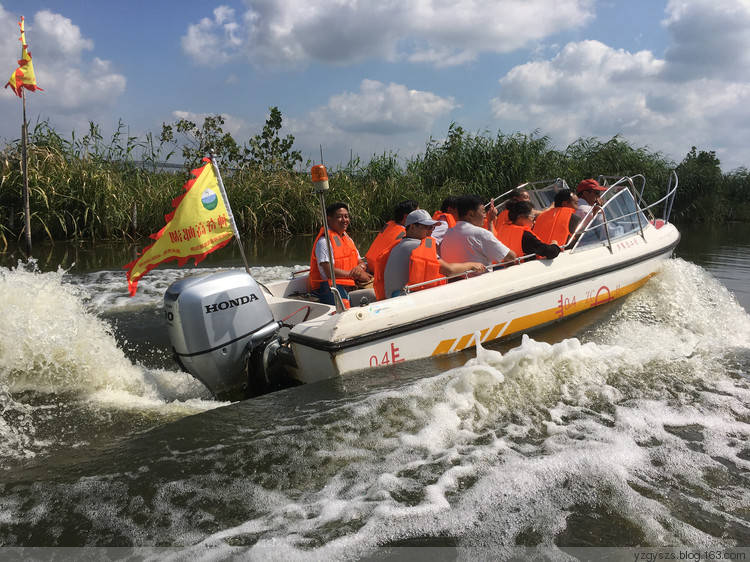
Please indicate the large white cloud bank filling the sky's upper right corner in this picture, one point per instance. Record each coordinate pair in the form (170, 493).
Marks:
(590, 89)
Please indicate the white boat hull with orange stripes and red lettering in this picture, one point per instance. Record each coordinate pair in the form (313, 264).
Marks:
(500, 304)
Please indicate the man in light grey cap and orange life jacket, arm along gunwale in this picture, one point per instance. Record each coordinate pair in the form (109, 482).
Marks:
(415, 259)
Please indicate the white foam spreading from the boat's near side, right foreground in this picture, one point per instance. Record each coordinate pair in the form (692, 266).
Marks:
(542, 430)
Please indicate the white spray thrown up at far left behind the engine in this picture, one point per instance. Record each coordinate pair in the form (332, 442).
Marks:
(57, 355)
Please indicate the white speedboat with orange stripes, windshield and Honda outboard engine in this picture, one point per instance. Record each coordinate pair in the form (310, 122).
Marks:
(241, 337)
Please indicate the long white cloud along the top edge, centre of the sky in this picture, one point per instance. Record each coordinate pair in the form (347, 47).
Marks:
(437, 32)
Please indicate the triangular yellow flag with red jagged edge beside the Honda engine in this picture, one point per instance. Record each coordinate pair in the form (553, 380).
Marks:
(198, 226)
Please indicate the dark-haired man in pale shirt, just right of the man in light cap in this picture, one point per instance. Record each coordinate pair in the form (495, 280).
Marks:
(468, 241)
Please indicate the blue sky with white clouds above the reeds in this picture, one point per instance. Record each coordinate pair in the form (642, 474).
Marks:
(370, 77)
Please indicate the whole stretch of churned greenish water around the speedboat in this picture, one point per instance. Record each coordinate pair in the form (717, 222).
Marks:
(624, 426)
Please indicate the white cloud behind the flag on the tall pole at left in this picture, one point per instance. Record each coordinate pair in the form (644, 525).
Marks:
(83, 88)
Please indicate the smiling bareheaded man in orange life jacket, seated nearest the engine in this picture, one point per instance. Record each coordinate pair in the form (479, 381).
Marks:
(347, 263)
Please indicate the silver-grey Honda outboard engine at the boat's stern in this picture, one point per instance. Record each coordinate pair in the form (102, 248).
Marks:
(215, 323)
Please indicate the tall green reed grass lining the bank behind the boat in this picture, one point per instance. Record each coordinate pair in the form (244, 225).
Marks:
(88, 188)
